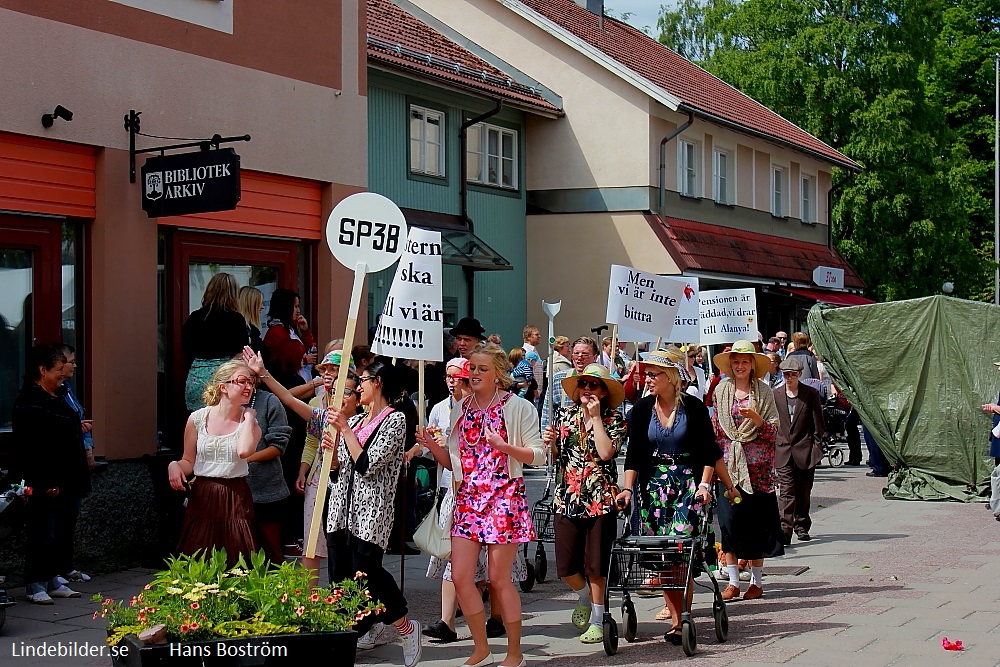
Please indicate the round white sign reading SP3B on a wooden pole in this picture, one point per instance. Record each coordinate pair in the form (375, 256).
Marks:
(366, 227)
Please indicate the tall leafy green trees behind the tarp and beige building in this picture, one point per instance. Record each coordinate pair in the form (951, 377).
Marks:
(903, 87)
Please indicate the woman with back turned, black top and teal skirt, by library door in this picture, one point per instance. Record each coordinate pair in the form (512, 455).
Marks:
(212, 335)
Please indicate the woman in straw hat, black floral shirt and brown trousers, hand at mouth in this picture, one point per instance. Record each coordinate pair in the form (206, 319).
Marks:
(586, 439)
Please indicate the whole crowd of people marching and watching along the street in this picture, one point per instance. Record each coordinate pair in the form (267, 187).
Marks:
(263, 414)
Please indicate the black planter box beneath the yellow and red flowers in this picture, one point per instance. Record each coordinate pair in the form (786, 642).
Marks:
(272, 651)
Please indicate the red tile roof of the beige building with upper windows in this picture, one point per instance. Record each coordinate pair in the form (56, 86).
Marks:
(696, 88)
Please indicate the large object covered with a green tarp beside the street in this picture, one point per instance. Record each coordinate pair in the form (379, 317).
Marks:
(918, 372)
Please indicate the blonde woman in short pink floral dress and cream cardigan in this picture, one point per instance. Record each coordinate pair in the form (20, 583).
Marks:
(493, 435)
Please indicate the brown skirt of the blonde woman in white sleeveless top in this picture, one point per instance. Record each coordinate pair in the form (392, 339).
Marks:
(220, 515)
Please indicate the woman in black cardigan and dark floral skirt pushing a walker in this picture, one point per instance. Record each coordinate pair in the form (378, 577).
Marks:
(671, 459)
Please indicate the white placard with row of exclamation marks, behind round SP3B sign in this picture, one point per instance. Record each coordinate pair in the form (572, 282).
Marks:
(411, 322)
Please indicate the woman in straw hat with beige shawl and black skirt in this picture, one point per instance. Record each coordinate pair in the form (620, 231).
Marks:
(746, 422)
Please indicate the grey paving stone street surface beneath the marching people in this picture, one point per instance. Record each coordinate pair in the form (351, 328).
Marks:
(886, 581)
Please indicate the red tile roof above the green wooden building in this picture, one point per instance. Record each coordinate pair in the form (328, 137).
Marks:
(399, 40)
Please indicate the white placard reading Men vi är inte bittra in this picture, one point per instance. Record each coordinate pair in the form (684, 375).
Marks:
(642, 302)
